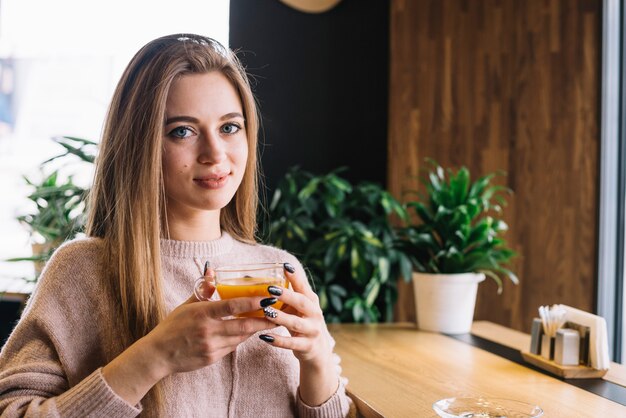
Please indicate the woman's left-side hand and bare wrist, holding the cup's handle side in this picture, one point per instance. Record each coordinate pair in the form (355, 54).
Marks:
(192, 336)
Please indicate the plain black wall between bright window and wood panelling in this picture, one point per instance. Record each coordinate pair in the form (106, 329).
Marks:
(322, 84)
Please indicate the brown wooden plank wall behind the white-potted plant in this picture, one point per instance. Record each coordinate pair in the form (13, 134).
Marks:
(511, 85)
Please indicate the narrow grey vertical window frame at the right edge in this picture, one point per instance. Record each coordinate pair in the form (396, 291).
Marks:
(612, 228)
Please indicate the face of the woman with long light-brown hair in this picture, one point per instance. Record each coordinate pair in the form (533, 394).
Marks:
(205, 144)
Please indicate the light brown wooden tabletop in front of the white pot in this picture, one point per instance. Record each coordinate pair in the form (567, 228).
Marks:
(394, 370)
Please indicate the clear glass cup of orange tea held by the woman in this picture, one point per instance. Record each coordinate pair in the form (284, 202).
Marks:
(245, 280)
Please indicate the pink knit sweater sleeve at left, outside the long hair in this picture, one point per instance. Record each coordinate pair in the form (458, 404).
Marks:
(34, 380)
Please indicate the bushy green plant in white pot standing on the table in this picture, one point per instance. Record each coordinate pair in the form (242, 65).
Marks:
(455, 243)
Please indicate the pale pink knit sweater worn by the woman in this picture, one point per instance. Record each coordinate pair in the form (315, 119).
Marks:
(52, 363)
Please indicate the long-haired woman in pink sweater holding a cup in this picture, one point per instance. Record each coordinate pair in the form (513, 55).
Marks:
(112, 329)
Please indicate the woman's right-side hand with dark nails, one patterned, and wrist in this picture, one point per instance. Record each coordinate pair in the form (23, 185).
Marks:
(309, 340)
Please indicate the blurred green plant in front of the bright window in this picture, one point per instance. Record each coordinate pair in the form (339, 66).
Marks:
(58, 204)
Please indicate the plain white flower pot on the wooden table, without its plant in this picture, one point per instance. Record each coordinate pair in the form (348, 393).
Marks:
(445, 302)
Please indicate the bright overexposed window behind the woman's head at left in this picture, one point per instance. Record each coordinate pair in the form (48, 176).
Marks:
(59, 63)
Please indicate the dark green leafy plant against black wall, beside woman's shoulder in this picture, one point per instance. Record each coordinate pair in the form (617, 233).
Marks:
(343, 235)
